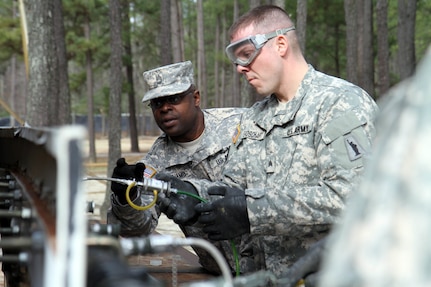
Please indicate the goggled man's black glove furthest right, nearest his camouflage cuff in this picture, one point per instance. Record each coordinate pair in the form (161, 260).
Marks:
(224, 218)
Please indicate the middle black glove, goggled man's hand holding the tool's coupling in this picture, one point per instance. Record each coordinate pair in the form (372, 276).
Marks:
(179, 207)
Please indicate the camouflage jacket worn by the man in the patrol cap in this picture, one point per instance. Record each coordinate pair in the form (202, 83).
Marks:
(206, 162)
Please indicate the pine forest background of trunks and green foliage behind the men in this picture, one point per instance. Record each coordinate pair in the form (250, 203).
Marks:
(65, 59)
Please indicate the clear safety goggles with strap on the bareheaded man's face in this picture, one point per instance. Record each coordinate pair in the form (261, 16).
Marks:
(244, 51)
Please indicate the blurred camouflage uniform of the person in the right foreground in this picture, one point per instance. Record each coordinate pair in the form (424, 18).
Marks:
(383, 238)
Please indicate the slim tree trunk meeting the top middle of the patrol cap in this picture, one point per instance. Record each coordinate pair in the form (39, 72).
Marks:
(165, 32)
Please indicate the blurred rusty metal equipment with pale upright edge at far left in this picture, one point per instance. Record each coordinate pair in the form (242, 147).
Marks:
(42, 207)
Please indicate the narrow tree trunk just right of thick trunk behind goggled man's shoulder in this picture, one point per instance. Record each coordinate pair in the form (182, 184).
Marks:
(383, 82)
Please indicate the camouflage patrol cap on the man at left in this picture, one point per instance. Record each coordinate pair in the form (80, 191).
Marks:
(168, 80)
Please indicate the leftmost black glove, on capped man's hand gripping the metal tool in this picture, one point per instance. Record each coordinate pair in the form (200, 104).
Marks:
(126, 171)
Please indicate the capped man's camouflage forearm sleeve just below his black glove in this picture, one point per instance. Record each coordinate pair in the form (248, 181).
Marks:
(133, 222)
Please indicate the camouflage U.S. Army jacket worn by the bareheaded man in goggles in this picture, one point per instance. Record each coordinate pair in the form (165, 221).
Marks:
(297, 164)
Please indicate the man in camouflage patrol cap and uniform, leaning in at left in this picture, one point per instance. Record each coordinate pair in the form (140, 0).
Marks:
(195, 144)
